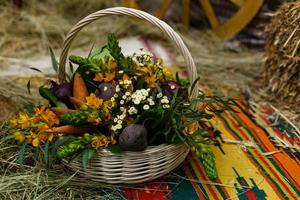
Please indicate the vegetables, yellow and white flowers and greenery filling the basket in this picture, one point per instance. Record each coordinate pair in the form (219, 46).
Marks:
(119, 103)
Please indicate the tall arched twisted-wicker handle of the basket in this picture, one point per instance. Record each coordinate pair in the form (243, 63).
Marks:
(192, 71)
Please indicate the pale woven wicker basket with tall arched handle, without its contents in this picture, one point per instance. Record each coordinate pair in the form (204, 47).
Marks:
(131, 167)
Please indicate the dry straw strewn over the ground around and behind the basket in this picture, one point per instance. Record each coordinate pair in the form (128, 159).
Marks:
(225, 69)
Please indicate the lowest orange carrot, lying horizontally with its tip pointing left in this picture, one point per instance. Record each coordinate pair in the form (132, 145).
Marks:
(69, 129)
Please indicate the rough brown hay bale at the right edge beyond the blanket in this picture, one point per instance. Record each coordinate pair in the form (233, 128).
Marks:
(282, 66)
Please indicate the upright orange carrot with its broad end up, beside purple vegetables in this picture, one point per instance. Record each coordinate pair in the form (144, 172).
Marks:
(79, 88)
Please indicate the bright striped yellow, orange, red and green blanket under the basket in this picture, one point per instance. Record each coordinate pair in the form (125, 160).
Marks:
(255, 161)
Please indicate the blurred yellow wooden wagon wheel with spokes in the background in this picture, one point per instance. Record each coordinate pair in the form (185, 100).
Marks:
(248, 9)
